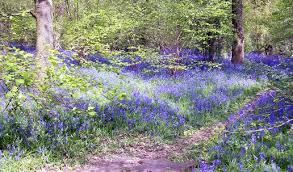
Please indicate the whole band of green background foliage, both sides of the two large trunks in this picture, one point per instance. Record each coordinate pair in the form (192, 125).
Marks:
(115, 25)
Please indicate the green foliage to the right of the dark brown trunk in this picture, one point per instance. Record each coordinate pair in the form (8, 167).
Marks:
(269, 23)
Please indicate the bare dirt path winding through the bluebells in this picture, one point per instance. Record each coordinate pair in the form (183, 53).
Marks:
(144, 155)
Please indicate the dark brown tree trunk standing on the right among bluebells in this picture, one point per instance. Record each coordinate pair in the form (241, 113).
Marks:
(237, 21)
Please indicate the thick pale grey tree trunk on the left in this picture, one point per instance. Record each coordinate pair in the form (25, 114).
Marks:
(44, 18)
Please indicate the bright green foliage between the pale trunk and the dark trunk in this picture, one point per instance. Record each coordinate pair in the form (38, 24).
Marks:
(118, 25)
